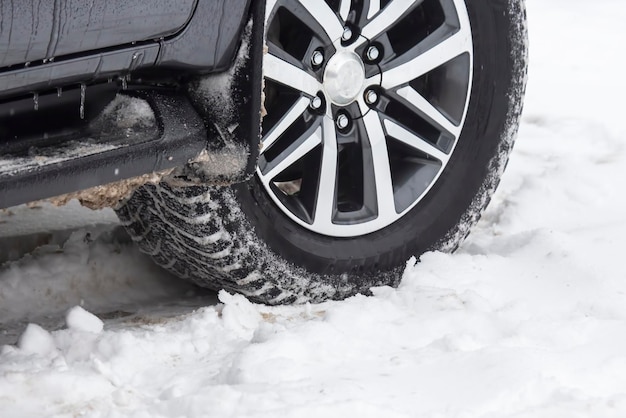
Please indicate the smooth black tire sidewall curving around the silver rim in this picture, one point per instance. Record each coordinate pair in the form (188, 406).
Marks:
(448, 203)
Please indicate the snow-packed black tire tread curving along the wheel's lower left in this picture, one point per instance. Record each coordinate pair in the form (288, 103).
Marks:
(200, 233)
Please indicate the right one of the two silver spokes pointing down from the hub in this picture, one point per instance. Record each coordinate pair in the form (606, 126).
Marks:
(382, 170)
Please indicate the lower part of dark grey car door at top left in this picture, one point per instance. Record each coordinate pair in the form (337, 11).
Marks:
(34, 30)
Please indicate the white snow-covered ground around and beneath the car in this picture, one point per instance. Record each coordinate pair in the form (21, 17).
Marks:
(528, 319)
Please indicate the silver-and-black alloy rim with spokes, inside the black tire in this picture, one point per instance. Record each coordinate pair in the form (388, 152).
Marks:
(364, 111)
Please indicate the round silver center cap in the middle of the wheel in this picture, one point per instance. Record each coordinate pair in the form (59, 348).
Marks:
(344, 78)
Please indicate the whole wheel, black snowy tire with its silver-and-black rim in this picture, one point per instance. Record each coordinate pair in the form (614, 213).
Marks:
(386, 135)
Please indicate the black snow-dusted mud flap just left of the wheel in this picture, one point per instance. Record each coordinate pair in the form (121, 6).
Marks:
(231, 103)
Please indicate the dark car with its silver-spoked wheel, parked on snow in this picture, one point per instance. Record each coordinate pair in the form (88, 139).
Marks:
(290, 150)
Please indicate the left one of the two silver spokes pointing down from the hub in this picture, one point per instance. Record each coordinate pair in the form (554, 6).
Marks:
(325, 203)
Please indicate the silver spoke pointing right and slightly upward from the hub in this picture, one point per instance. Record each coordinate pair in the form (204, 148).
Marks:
(453, 46)
